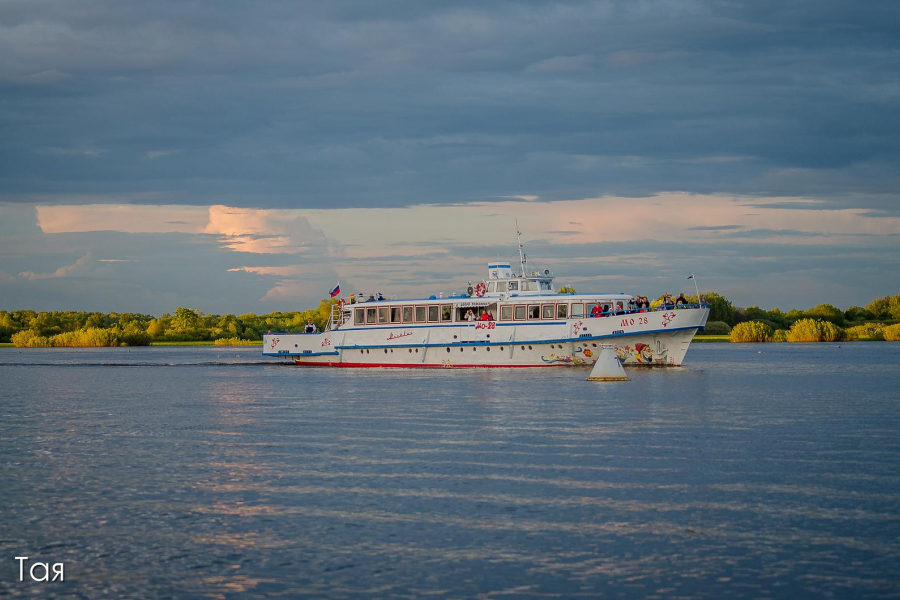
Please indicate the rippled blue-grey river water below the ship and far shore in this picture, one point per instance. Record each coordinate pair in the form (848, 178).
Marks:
(753, 471)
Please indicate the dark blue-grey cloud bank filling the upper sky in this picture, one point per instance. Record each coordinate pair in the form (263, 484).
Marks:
(295, 104)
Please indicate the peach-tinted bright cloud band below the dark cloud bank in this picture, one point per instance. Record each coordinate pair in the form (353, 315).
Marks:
(418, 250)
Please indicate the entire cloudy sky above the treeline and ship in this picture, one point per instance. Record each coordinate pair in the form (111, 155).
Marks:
(245, 157)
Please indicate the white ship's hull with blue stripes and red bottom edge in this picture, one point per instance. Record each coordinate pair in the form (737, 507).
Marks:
(658, 338)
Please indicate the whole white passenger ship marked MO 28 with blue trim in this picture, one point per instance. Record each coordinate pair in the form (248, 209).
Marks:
(530, 325)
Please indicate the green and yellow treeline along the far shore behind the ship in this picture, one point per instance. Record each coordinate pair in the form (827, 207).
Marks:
(70, 328)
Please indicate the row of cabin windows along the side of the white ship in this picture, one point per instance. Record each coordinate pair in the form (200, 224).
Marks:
(443, 313)
